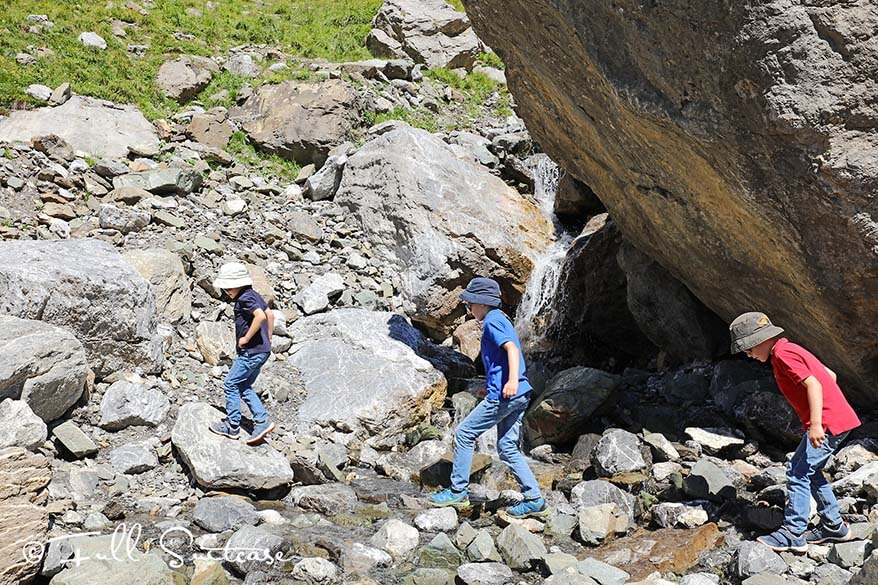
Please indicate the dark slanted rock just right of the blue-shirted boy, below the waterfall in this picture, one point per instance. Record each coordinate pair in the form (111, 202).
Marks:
(571, 397)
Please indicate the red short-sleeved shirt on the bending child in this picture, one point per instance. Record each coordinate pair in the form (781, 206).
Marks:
(792, 365)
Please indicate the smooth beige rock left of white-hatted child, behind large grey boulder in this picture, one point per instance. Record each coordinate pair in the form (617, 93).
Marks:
(165, 272)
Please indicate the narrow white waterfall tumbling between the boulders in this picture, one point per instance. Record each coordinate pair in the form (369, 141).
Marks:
(532, 314)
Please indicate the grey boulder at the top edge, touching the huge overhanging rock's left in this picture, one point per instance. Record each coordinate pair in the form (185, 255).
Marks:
(427, 31)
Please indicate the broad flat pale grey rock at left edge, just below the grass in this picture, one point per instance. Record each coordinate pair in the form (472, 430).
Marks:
(98, 127)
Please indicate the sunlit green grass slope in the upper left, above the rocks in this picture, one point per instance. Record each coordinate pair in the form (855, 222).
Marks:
(331, 29)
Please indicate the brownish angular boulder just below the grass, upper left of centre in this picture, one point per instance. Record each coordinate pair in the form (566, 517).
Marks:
(299, 120)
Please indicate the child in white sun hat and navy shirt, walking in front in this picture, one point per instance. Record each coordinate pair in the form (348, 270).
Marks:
(253, 327)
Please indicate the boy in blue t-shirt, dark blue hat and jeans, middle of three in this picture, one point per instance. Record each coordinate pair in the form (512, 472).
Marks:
(507, 396)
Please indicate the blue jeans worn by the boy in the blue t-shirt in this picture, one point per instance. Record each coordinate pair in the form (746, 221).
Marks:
(506, 415)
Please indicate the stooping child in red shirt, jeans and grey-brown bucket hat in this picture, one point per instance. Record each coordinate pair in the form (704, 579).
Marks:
(811, 389)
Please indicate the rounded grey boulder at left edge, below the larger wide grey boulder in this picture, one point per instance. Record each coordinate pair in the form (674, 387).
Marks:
(43, 365)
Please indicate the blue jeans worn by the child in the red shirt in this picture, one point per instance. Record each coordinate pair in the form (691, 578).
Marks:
(805, 479)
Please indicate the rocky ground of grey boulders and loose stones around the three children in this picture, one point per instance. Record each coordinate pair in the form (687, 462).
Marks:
(116, 345)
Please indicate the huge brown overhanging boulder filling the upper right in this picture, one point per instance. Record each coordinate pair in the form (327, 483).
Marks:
(724, 179)
